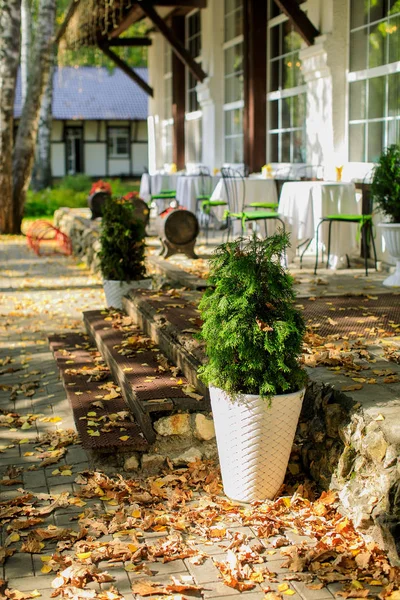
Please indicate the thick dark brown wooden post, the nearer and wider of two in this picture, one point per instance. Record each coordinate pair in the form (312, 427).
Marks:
(255, 84)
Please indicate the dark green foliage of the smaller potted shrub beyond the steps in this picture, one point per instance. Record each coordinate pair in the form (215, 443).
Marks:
(122, 243)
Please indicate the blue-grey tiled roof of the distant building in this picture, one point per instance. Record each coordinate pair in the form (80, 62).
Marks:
(94, 93)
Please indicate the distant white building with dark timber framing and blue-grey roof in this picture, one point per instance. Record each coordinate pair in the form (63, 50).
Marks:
(99, 123)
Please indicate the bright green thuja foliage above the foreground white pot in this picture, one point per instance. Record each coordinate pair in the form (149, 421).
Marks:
(252, 331)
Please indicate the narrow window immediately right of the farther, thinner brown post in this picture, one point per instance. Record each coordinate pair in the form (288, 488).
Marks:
(193, 124)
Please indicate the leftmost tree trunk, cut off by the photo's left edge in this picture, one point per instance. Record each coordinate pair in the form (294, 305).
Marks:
(10, 26)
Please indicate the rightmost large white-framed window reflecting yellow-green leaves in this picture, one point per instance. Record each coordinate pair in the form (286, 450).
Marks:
(374, 78)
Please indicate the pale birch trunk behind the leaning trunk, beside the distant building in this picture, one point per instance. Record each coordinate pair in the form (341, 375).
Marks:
(41, 176)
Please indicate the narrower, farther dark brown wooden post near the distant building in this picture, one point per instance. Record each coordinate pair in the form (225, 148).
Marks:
(178, 95)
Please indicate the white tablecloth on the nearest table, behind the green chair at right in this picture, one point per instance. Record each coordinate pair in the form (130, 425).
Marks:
(303, 203)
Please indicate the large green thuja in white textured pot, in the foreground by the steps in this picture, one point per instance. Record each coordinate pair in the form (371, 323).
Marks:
(253, 338)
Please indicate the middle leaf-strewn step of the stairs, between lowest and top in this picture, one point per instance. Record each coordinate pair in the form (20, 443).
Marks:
(148, 382)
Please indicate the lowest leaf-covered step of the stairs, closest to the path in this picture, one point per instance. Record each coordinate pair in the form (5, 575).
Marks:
(87, 383)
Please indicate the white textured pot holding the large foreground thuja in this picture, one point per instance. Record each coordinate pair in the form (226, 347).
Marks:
(254, 439)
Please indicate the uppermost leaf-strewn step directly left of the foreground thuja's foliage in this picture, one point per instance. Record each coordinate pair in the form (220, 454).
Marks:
(171, 319)
